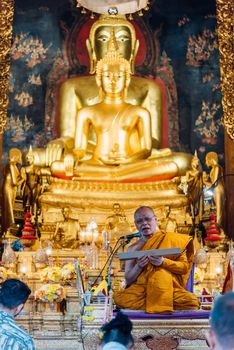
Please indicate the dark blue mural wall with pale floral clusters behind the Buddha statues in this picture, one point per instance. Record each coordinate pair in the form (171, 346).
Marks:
(186, 62)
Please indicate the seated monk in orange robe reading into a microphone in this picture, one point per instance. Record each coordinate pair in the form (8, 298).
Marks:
(157, 284)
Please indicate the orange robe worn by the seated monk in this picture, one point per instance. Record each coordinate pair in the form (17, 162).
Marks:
(162, 289)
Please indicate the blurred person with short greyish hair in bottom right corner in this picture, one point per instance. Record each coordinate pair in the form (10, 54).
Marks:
(221, 333)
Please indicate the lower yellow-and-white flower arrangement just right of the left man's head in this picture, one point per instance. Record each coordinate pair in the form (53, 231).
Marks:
(49, 293)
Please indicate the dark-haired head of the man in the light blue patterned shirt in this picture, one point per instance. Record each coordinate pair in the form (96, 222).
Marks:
(13, 296)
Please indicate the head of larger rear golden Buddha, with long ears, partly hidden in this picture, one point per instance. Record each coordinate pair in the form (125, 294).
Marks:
(100, 35)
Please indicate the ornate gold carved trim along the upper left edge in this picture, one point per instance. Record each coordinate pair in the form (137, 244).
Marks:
(6, 19)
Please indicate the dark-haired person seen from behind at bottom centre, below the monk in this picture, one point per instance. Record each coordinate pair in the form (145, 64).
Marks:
(116, 334)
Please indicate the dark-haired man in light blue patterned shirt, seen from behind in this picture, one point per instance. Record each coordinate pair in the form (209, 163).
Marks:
(13, 296)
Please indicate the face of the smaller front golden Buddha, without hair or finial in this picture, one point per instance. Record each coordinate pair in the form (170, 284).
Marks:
(113, 78)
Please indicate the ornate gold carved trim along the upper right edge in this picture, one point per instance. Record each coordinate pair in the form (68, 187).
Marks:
(225, 13)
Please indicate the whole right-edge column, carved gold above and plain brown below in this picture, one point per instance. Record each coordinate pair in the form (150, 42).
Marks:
(225, 13)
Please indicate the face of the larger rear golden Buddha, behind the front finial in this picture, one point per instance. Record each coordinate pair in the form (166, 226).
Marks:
(122, 36)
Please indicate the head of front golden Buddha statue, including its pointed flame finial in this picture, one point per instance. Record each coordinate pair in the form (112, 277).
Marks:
(113, 71)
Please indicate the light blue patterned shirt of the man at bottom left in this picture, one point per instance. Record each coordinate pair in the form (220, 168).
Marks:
(12, 337)
